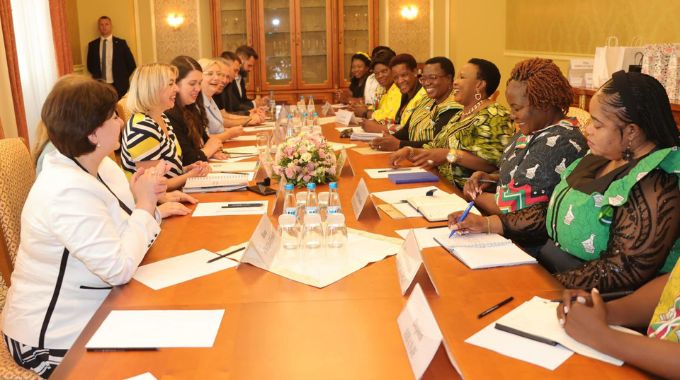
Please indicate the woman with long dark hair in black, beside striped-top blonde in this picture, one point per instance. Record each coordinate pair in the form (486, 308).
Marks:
(188, 116)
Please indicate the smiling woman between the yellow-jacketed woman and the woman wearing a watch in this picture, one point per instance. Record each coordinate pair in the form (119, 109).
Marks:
(431, 114)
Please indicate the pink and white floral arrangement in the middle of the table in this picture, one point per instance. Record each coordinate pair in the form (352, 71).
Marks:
(305, 158)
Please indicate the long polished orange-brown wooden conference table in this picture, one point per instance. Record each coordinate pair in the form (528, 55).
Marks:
(275, 328)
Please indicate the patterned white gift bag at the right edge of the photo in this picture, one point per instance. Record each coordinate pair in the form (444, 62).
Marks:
(662, 62)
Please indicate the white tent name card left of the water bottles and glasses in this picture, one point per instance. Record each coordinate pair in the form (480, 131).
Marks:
(263, 245)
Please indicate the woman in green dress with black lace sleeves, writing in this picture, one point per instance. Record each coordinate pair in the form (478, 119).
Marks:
(613, 221)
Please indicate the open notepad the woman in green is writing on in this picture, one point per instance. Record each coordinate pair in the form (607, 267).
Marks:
(479, 251)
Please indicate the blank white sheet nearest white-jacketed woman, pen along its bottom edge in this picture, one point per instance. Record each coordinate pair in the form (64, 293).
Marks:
(130, 329)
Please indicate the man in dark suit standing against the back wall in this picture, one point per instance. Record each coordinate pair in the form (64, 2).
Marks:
(110, 59)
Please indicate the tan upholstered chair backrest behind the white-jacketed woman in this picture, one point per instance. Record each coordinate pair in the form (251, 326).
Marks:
(16, 178)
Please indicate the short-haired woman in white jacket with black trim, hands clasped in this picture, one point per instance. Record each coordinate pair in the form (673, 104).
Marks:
(84, 228)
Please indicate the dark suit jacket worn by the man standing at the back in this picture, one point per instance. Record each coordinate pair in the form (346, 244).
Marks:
(122, 63)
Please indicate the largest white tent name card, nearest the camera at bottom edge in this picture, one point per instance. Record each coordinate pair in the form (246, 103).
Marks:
(421, 334)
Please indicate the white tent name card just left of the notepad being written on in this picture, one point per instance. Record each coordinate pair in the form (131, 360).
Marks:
(410, 263)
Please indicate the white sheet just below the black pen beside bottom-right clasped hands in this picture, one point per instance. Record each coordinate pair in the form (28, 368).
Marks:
(540, 354)
